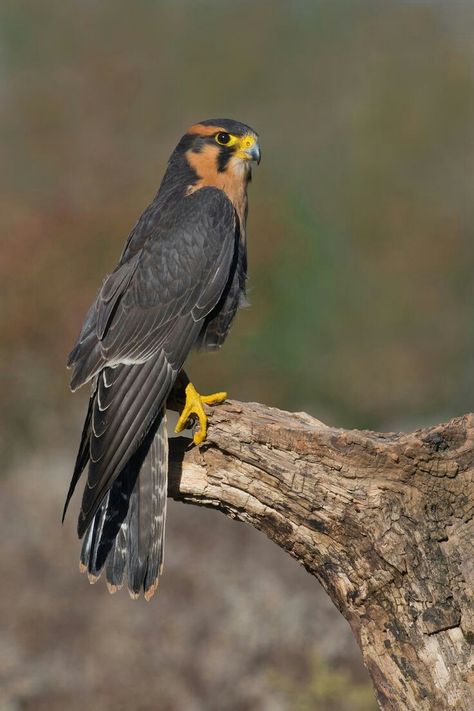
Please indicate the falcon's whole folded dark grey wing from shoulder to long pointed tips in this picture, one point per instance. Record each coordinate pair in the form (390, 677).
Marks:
(136, 336)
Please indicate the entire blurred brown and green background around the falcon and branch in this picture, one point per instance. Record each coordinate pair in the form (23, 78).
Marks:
(361, 260)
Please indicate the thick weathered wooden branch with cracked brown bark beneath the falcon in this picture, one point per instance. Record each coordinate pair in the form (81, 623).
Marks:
(383, 521)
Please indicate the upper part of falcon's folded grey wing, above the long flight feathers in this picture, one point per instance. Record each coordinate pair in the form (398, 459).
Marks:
(178, 272)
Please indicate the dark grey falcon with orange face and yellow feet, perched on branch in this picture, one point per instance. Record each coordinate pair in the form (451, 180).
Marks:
(178, 284)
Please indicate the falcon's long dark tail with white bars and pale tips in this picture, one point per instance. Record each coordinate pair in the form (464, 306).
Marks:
(127, 534)
